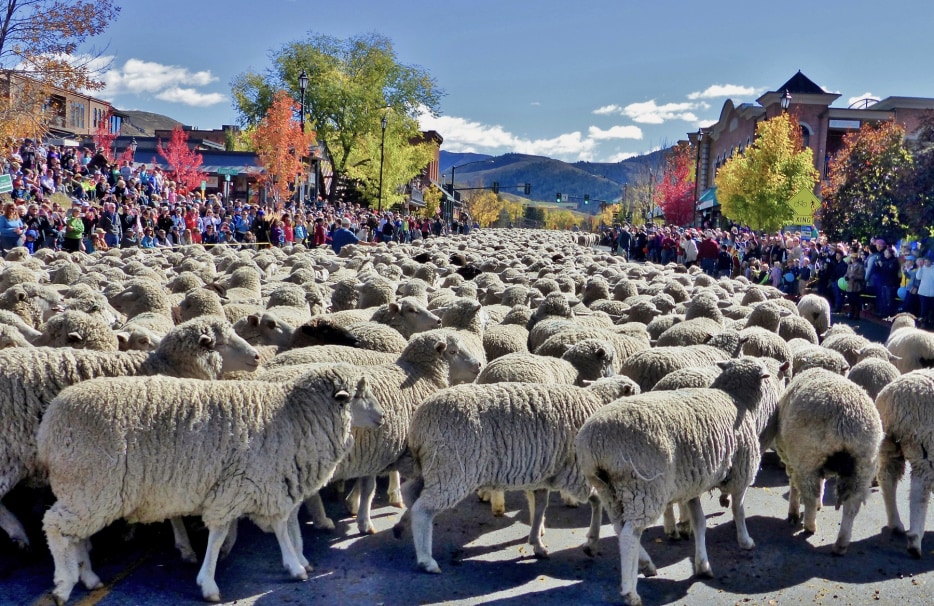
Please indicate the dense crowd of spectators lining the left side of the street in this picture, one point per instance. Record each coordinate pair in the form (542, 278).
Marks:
(73, 199)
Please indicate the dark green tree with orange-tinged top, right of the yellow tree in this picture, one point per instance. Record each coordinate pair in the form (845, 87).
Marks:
(862, 198)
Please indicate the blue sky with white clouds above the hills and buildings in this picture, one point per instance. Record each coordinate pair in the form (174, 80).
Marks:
(586, 80)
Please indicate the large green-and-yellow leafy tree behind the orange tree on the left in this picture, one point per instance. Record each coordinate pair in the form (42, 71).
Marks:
(352, 85)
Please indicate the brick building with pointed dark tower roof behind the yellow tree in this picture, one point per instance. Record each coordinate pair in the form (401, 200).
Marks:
(822, 129)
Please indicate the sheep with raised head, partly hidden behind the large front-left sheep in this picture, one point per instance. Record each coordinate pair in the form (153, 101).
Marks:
(432, 361)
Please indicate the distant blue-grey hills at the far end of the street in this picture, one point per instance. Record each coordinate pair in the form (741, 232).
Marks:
(601, 181)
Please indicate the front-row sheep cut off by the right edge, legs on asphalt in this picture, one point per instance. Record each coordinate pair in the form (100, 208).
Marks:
(905, 408)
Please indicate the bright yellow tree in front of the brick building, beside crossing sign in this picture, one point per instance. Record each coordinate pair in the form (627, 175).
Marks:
(753, 188)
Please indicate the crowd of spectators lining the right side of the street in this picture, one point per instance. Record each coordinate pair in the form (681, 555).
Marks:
(875, 277)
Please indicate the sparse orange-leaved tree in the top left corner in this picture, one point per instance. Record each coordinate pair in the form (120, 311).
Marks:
(39, 47)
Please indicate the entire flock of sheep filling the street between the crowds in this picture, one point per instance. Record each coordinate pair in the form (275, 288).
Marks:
(148, 385)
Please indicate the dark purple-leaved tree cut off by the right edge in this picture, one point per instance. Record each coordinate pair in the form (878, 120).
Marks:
(917, 191)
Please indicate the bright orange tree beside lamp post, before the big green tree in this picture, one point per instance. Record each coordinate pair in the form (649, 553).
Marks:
(280, 144)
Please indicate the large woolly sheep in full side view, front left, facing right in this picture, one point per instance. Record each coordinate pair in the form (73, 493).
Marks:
(104, 464)
